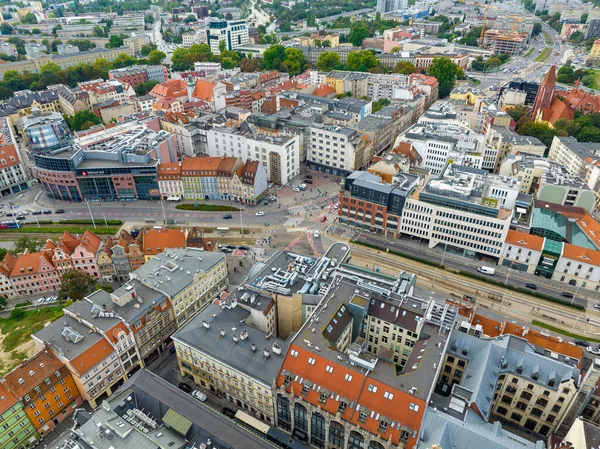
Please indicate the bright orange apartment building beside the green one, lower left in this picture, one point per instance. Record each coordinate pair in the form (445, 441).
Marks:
(46, 389)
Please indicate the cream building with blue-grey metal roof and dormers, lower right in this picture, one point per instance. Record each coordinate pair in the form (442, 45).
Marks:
(525, 388)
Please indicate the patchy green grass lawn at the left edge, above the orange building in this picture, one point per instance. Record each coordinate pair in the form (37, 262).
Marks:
(15, 335)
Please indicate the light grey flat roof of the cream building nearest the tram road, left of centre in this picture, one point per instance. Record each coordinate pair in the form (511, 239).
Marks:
(176, 268)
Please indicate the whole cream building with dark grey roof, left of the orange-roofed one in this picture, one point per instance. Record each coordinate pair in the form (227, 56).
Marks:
(232, 359)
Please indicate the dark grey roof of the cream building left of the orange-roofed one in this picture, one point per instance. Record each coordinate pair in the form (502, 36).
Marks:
(240, 355)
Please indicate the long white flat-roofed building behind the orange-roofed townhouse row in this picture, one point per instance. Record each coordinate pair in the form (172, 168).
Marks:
(280, 155)
